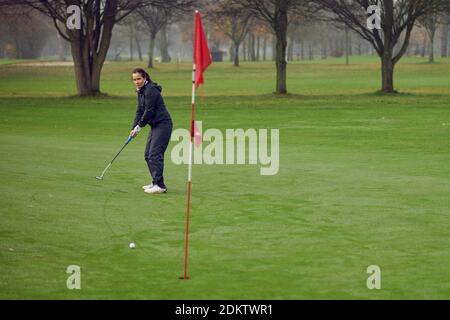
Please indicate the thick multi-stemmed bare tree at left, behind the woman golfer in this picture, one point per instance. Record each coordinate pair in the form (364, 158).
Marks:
(90, 42)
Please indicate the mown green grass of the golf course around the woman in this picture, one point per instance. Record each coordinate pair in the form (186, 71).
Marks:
(364, 180)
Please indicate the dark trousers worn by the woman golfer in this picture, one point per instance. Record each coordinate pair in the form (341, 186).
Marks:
(157, 142)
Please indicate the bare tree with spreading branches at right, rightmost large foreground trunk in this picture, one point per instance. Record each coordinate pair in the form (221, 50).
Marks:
(397, 21)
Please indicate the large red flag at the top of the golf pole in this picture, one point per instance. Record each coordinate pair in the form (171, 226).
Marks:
(202, 56)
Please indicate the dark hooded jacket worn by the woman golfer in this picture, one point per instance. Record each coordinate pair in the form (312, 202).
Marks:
(151, 108)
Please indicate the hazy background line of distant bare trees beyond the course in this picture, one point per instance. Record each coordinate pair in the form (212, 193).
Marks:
(249, 30)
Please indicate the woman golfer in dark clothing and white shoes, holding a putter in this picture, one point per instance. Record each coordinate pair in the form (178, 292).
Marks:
(152, 110)
